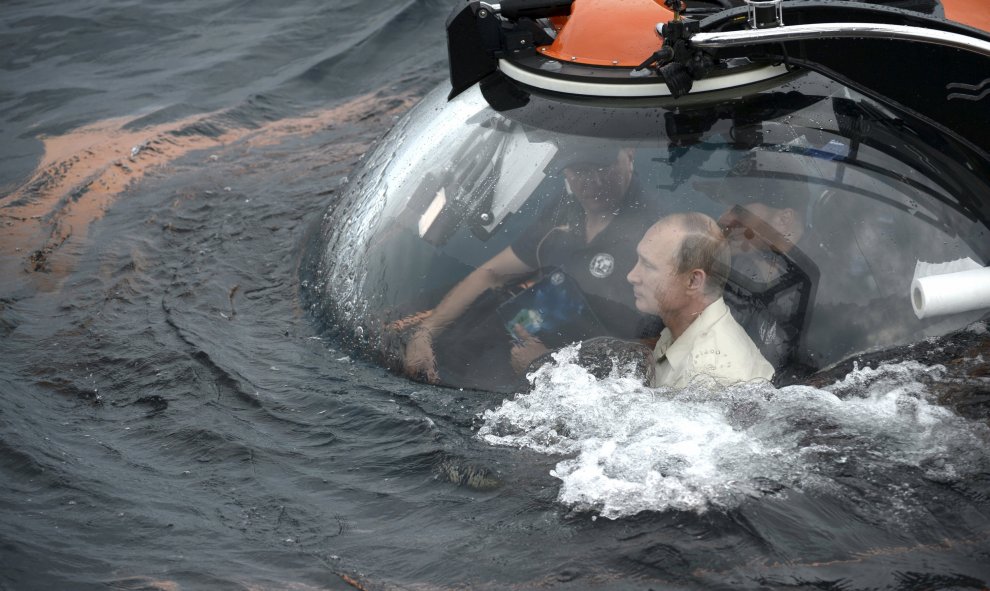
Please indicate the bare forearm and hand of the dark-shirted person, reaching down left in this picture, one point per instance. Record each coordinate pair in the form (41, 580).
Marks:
(419, 357)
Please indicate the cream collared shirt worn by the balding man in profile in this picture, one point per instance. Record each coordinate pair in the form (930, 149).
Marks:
(713, 345)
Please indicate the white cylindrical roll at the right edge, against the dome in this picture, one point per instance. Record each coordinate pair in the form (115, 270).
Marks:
(964, 291)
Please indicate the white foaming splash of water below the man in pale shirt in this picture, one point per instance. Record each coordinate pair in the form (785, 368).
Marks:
(630, 448)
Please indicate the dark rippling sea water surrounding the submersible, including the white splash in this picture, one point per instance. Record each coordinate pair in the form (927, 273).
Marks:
(173, 417)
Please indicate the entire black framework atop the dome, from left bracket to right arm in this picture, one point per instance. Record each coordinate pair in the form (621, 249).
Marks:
(942, 86)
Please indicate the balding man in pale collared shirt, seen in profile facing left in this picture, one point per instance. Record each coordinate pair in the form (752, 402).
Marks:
(682, 265)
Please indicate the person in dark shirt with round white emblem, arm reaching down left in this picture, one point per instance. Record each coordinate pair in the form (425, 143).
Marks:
(587, 237)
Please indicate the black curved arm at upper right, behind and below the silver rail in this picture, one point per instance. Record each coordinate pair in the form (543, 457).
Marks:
(915, 78)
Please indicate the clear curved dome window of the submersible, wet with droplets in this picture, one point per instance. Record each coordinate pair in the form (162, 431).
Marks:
(828, 199)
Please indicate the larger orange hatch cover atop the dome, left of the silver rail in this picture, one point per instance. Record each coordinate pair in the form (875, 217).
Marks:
(608, 32)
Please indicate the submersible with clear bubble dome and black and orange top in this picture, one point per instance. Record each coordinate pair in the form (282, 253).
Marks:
(844, 147)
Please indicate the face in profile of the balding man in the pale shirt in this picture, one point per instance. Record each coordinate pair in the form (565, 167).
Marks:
(658, 288)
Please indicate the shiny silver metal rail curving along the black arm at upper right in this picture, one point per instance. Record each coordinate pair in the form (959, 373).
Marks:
(716, 40)
